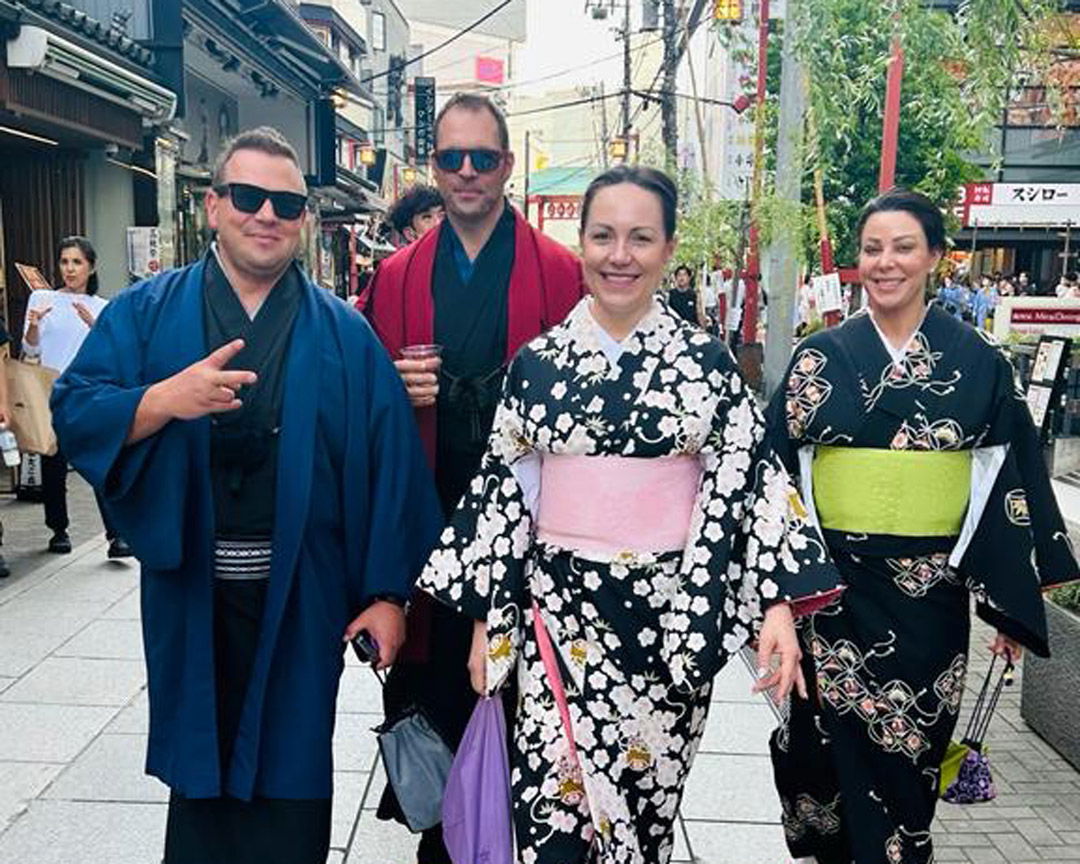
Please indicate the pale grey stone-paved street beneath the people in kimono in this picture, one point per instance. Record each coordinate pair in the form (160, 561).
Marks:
(74, 726)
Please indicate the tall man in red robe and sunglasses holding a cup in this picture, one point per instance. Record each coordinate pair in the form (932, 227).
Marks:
(481, 286)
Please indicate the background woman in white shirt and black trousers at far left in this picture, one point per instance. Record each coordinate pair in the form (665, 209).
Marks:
(57, 325)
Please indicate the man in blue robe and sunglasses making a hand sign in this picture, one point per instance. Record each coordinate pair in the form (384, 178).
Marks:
(255, 444)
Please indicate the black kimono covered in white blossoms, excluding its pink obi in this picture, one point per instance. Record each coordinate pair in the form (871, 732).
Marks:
(639, 637)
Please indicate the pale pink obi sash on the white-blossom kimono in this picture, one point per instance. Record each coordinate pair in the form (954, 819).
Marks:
(605, 507)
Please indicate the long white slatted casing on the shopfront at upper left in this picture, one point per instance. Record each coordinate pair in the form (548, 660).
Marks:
(38, 50)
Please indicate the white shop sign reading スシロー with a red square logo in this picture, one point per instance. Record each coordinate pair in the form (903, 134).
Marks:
(1008, 205)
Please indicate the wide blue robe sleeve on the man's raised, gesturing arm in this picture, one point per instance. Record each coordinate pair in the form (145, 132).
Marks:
(94, 406)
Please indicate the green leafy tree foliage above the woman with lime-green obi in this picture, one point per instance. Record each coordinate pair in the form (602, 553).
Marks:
(955, 90)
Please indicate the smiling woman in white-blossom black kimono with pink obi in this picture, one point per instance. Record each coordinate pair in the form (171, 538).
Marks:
(629, 512)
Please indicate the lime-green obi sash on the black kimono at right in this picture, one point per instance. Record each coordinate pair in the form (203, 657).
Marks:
(900, 493)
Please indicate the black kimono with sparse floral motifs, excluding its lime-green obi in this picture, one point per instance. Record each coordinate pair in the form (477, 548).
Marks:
(889, 661)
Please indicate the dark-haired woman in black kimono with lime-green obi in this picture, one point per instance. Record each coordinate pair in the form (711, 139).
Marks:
(919, 460)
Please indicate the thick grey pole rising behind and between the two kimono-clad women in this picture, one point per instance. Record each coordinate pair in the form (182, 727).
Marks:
(781, 255)
